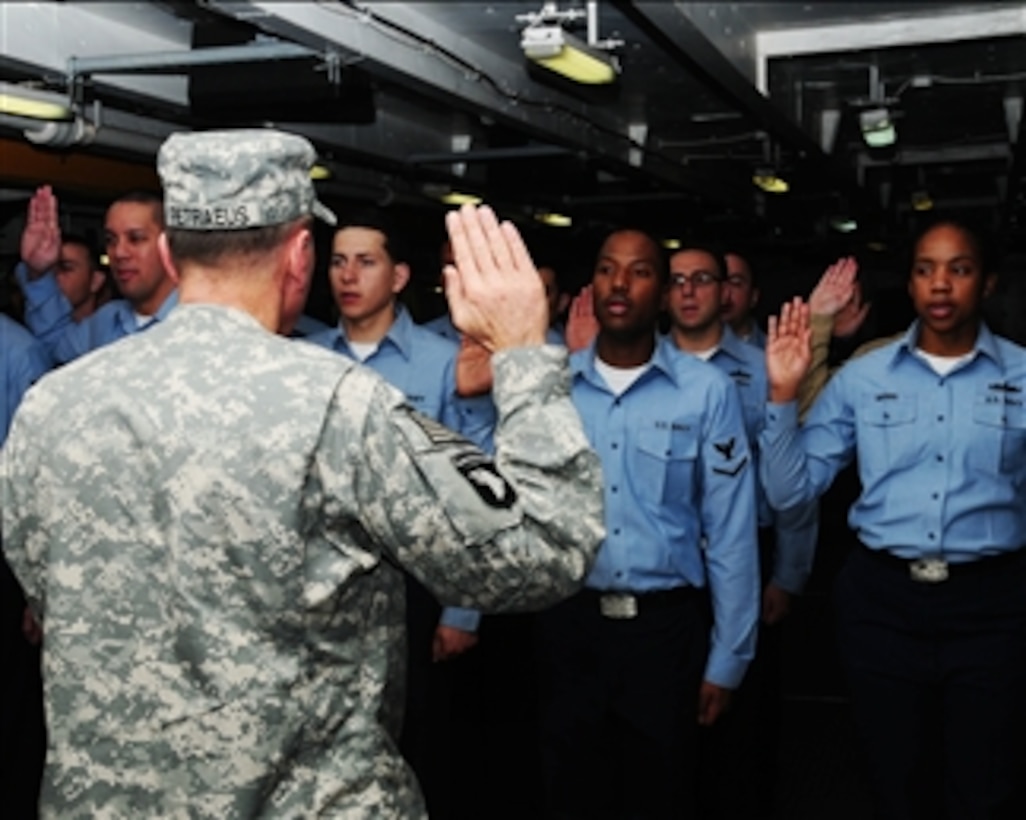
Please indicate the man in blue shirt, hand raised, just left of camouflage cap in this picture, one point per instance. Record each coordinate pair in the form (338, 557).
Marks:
(133, 226)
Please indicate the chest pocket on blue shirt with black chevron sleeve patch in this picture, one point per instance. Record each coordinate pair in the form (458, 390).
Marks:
(663, 468)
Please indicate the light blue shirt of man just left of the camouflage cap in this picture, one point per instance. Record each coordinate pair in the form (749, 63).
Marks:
(48, 315)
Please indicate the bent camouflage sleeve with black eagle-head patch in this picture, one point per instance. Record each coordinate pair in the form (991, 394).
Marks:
(518, 532)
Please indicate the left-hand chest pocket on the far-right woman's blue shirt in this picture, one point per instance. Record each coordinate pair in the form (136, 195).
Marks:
(887, 435)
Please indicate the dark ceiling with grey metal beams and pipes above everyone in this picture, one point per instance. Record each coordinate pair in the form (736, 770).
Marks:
(708, 93)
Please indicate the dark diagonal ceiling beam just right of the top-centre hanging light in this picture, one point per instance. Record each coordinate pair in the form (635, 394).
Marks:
(670, 27)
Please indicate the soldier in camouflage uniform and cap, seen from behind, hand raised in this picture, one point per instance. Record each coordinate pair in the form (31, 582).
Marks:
(214, 541)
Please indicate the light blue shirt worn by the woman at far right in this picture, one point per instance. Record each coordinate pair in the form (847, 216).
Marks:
(942, 459)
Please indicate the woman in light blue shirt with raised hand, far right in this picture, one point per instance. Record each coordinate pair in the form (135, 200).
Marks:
(932, 605)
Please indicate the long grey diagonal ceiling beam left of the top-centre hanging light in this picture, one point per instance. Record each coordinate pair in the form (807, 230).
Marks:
(402, 45)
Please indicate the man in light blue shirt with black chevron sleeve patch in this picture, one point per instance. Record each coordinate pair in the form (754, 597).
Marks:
(633, 665)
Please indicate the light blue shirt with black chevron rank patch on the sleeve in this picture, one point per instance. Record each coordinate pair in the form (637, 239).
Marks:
(678, 474)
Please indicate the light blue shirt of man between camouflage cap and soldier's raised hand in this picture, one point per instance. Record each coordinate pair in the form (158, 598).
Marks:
(422, 365)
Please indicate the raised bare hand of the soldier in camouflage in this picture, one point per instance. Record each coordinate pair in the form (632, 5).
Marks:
(495, 293)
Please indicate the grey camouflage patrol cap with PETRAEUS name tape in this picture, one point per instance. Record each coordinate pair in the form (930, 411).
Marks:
(232, 180)
